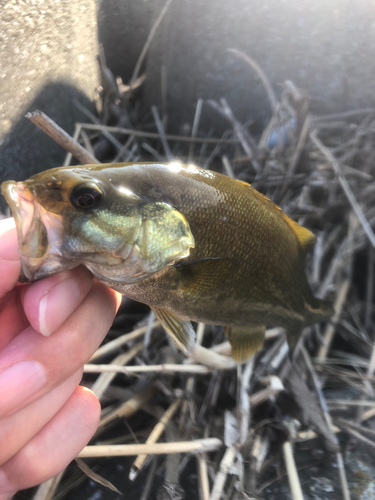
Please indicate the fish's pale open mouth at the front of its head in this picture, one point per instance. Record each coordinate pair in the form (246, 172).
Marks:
(33, 234)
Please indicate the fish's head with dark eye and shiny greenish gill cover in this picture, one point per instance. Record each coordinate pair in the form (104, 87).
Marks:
(79, 215)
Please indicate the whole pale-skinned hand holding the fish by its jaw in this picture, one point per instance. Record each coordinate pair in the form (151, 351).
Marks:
(48, 330)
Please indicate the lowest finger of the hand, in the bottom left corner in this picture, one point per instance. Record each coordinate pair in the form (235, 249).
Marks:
(55, 446)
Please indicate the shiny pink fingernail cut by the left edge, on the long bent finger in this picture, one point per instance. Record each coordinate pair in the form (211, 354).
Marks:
(18, 383)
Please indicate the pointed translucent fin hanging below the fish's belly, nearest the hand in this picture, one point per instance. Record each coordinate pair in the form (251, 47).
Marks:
(181, 331)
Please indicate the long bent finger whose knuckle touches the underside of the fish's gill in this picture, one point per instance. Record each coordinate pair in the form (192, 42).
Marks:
(32, 365)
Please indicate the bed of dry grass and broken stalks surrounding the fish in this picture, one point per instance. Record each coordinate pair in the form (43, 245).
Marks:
(320, 170)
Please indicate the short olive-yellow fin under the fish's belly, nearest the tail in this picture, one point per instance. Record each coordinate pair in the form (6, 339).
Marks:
(245, 341)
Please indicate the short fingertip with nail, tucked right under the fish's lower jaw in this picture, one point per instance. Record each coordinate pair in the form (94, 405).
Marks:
(49, 302)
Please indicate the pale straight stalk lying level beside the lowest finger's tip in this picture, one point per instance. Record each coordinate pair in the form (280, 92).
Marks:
(126, 450)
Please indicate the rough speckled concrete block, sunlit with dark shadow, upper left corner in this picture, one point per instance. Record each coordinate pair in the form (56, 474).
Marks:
(48, 54)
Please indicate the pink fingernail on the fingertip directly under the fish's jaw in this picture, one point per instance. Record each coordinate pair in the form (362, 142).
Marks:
(57, 305)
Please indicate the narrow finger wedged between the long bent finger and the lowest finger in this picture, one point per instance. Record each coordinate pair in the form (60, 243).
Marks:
(19, 428)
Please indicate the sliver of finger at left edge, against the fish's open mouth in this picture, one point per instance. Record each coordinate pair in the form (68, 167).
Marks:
(10, 264)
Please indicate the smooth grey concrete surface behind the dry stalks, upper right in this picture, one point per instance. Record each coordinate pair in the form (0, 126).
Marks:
(326, 47)
